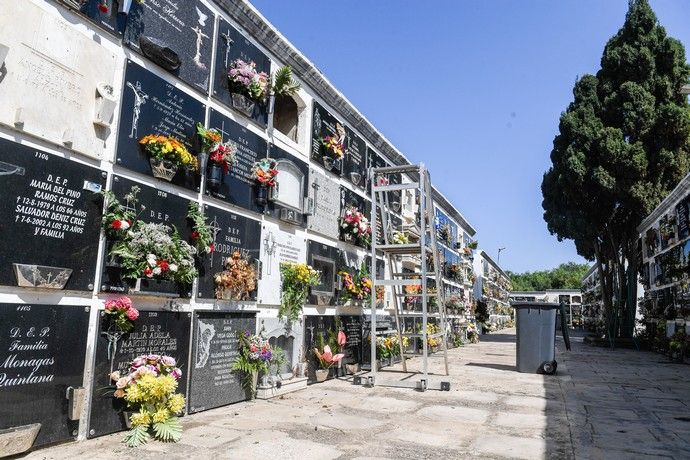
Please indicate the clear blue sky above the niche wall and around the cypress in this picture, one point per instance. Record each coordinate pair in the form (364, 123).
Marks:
(473, 89)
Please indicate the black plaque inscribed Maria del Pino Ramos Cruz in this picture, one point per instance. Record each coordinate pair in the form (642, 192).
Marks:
(56, 209)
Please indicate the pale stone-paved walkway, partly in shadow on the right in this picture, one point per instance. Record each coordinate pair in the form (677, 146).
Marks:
(594, 408)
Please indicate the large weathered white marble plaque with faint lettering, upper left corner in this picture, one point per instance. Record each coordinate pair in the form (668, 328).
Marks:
(54, 79)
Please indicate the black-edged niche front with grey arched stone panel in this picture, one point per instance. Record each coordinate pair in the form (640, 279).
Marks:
(286, 201)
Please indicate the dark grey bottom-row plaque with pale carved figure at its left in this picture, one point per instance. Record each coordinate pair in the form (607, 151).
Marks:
(214, 349)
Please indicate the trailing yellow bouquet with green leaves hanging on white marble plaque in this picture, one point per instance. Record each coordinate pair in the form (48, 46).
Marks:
(296, 279)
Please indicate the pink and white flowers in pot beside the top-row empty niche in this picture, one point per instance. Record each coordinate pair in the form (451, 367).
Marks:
(247, 86)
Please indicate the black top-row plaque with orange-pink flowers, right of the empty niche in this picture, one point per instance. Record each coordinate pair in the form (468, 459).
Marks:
(328, 140)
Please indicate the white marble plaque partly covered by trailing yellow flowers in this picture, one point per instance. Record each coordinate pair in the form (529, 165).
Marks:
(277, 246)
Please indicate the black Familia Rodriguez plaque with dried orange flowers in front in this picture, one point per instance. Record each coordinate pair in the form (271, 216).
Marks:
(231, 271)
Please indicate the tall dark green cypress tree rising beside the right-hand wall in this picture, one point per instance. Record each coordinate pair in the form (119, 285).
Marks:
(623, 144)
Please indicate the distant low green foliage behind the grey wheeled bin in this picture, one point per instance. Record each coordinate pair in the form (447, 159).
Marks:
(565, 276)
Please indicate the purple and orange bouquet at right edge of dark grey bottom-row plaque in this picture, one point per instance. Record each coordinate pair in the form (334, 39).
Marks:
(254, 358)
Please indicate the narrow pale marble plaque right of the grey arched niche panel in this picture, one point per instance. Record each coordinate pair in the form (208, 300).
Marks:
(326, 196)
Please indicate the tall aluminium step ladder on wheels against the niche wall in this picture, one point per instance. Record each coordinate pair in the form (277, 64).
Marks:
(422, 252)
